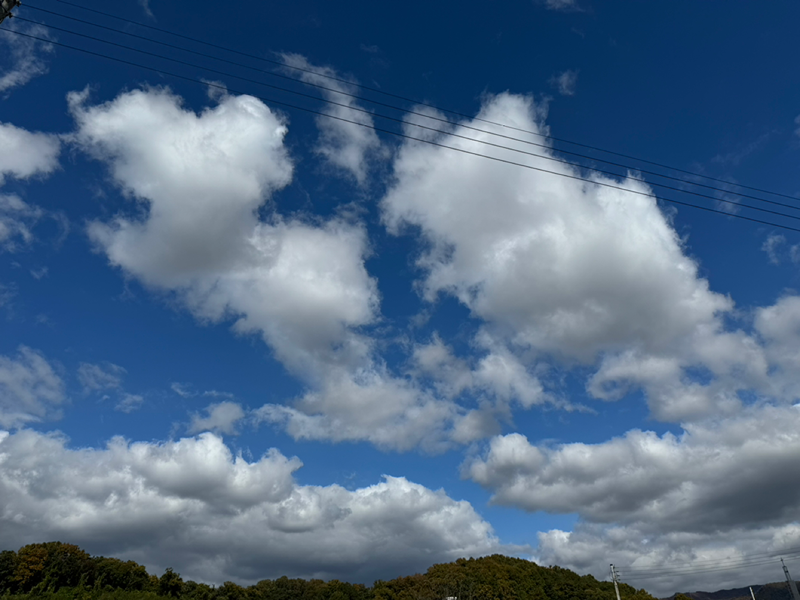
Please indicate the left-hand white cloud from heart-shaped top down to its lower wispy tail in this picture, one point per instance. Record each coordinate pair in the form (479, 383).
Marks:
(302, 286)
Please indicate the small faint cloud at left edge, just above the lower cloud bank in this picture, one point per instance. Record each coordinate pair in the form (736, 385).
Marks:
(30, 389)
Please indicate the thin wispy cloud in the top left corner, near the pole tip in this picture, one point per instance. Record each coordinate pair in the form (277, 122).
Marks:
(25, 56)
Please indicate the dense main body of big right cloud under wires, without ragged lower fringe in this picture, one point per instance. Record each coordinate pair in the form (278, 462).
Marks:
(560, 265)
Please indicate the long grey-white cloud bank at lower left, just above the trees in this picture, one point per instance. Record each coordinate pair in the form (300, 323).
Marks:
(213, 516)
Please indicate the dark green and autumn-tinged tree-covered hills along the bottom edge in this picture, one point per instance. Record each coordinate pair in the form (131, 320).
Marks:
(56, 571)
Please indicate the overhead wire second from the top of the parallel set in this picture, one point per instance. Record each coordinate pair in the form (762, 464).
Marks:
(409, 111)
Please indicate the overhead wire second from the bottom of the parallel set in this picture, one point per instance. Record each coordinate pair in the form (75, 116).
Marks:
(434, 129)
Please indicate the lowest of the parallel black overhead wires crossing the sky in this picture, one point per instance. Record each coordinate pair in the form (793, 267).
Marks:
(422, 140)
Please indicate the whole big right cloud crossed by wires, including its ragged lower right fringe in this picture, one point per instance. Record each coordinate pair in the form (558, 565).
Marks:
(569, 271)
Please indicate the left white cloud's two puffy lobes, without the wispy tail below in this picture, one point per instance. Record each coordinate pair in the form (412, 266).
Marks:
(201, 179)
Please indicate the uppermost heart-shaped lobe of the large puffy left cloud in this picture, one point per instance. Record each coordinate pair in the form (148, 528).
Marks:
(201, 177)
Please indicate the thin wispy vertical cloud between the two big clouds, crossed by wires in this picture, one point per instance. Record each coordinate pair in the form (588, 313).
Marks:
(344, 145)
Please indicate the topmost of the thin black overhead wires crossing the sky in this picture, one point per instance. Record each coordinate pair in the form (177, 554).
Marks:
(427, 105)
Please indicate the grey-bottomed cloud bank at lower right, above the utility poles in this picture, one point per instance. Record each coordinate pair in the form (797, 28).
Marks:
(718, 490)
